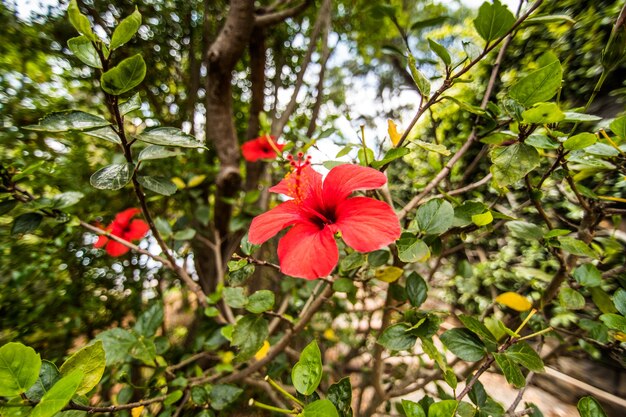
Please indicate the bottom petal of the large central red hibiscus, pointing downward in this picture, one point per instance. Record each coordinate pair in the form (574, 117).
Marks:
(307, 251)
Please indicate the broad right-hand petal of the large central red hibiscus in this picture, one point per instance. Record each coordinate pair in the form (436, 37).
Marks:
(367, 224)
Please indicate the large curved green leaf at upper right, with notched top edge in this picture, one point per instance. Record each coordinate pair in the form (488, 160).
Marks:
(541, 84)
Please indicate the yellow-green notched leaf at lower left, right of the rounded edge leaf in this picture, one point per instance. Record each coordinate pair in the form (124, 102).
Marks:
(90, 361)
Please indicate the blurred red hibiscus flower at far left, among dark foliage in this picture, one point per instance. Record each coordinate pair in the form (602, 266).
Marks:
(124, 227)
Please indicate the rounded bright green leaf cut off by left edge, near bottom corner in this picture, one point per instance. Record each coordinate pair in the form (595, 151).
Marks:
(19, 368)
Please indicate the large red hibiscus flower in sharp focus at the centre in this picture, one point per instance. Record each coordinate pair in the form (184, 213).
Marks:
(318, 210)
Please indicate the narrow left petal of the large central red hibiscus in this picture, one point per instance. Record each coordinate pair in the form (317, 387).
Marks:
(266, 225)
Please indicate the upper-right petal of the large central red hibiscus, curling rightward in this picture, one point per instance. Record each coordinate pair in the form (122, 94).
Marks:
(342, 180)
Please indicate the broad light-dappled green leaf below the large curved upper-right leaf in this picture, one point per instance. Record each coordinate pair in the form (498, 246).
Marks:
(512, 163)
